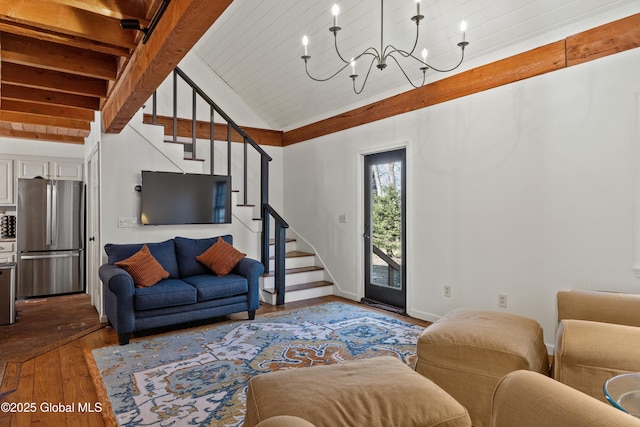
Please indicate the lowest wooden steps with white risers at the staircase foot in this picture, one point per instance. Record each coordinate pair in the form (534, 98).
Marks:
(304, 277)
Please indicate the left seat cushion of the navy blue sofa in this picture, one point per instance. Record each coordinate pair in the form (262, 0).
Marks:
(166, 293)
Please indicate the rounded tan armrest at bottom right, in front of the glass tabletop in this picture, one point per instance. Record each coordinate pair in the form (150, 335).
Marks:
(529, 399)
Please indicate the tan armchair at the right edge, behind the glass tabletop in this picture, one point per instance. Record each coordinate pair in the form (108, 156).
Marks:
(598, 337)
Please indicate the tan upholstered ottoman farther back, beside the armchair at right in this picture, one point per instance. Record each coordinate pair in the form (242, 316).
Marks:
(468, 351)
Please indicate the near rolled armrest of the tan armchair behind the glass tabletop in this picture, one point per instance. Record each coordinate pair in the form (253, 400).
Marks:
(588, 353)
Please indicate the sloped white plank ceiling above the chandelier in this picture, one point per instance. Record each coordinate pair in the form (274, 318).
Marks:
(255, 46)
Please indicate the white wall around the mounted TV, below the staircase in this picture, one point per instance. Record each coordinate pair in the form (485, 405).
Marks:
(139, 147)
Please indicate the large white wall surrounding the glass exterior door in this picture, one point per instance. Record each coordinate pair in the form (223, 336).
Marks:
(522, 190)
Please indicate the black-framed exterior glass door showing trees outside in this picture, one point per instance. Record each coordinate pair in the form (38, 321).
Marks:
(385, 229)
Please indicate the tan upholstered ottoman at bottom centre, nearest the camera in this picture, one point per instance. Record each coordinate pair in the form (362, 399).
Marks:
(381, 391)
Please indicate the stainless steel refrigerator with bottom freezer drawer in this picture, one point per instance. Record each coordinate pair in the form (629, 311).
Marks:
(50, 238)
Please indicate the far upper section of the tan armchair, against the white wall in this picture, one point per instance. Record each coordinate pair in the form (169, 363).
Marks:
(608, 307)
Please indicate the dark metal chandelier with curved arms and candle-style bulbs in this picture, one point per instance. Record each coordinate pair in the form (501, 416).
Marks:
(383, 55)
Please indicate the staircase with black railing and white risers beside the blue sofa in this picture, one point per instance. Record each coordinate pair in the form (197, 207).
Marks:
(292, 272)
